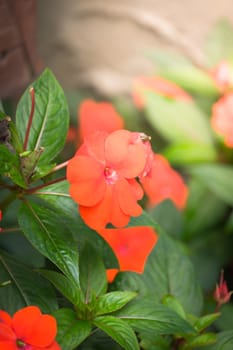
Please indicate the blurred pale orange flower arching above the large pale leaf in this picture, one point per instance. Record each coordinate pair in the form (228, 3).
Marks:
(158, 85)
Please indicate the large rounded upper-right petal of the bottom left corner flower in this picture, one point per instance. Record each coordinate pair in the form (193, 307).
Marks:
(33, 327)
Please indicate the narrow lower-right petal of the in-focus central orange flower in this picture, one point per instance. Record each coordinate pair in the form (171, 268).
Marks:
(126, 198)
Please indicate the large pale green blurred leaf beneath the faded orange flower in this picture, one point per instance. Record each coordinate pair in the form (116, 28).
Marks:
(178, 121)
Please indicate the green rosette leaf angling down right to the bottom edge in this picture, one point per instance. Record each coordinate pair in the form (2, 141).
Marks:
(118, 330)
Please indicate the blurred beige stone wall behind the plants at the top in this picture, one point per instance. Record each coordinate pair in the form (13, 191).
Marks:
(102, 43)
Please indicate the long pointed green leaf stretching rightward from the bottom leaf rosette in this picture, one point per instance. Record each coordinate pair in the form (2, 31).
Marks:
(145, 315)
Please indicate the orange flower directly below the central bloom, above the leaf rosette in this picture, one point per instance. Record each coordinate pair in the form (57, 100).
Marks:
(131, 246)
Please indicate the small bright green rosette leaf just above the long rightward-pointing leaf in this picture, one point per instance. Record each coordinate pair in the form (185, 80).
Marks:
(112, 301)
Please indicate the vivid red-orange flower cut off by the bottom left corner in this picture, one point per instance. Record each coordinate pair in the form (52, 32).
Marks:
(28, 329)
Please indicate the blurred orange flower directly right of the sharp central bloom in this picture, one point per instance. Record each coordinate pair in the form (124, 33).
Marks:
(163, 182)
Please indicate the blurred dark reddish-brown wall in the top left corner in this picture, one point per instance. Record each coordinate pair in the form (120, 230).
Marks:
(19, 62)
